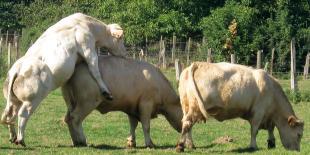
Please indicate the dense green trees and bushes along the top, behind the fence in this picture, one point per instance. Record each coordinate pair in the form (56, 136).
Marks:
(260, 24)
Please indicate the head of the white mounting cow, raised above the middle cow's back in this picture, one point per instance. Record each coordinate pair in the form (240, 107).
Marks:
(114, 40)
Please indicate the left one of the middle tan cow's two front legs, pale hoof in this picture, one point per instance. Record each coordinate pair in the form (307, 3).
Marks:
(131, 140)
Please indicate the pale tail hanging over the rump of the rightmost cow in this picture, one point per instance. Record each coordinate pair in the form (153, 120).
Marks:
(202, 109)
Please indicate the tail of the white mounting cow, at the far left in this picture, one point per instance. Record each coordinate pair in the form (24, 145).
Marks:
(8, 108)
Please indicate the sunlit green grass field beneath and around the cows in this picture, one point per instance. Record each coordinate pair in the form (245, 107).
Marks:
(106, 134)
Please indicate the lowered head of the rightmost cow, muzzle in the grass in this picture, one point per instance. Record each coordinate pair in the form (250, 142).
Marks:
(291, 133)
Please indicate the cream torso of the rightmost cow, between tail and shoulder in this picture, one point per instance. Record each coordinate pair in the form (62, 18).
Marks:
(231, 90)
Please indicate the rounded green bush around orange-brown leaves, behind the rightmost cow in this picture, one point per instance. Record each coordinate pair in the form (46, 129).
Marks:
(216, 30)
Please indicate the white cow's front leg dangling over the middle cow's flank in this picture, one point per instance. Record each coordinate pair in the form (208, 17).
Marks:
(91, 59)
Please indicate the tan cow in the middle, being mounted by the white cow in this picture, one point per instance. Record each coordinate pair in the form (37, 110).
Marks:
(139, 89)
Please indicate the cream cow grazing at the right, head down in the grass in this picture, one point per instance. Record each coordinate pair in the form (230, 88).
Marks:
(225, 91)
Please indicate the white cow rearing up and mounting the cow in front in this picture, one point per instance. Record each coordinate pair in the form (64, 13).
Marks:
(58, 50)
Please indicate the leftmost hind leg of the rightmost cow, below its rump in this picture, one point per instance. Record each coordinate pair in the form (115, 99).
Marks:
(186, 128)
